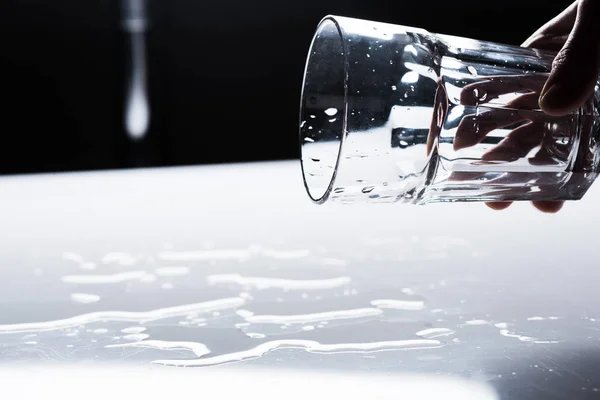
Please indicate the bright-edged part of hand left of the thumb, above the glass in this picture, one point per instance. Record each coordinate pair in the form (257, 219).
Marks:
(551, 32)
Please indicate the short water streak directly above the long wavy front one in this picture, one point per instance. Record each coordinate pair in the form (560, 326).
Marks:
(315, 317)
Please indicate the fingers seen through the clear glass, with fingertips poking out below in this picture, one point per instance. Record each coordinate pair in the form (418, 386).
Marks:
(528, 130)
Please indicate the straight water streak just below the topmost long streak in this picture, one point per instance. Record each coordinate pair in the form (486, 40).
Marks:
(261, 283)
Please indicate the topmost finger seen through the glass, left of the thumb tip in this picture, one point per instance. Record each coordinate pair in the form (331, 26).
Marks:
(493, 87)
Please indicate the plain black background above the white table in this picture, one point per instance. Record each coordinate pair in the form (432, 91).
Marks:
(224, 75)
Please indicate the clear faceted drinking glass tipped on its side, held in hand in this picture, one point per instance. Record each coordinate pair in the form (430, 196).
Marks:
(391, 113)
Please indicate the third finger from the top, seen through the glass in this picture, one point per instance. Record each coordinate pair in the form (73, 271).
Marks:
(517, 144)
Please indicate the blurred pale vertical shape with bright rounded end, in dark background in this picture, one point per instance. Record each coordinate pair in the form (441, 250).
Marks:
(137, 107)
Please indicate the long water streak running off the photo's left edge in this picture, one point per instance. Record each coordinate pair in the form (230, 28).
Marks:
(125, 316)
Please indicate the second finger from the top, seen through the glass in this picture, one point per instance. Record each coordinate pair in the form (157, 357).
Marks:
(472, 129)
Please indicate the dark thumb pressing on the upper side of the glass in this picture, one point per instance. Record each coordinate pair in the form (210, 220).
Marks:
(575, 68)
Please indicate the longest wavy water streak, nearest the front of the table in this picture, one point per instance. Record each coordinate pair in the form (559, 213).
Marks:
(306, 345)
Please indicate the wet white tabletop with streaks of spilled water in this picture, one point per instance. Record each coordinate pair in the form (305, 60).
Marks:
(232, 269)
